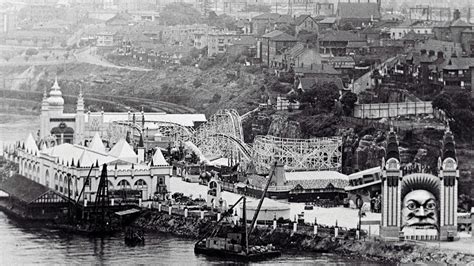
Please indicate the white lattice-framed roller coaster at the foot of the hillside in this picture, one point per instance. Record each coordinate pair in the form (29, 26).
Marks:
(222, 136)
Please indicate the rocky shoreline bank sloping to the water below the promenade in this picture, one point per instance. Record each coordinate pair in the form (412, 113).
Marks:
(370, 250)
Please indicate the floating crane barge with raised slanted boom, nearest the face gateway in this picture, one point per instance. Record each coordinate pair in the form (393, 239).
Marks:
(235, 244)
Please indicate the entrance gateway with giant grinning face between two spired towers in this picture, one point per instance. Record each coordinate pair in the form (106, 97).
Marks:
(419, 205)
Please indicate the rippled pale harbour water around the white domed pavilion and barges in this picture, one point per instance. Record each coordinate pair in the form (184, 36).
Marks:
(23, 244)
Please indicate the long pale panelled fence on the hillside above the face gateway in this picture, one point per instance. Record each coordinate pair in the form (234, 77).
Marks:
(386, 110)
